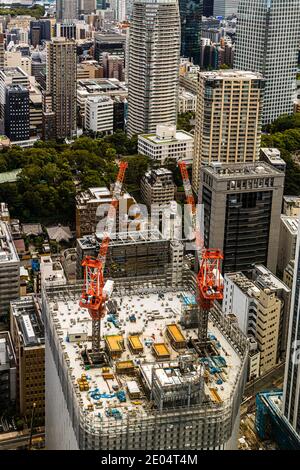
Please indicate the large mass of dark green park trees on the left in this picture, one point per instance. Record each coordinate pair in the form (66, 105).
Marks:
(53, 173)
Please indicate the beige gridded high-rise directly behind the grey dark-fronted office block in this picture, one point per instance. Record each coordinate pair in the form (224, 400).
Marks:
(228, 118)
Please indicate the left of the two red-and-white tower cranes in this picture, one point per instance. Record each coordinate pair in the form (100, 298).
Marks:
(94, 293)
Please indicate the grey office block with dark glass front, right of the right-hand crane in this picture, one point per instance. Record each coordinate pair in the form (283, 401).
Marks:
(242, 208)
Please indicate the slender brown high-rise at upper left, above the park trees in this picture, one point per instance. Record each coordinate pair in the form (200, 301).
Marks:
(61, 84)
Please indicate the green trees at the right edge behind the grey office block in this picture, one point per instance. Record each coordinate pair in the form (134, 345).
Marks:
(284, 134)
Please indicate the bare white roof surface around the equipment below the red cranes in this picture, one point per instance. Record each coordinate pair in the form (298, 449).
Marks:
(152, 315)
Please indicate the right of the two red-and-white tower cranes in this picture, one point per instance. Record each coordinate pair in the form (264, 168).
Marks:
(209, 278)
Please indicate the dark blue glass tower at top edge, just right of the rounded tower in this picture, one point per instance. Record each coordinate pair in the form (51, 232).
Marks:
(191, 20)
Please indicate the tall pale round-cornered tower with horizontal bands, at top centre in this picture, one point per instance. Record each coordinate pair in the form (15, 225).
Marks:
(154, 52)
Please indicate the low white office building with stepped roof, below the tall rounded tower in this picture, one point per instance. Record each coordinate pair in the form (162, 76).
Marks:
(167, 144)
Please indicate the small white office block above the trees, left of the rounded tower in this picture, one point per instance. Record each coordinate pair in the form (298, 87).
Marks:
(99, 114)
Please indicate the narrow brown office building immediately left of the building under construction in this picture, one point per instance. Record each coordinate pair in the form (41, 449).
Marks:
(27, 332)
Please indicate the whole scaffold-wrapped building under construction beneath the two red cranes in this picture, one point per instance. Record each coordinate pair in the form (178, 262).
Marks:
(156, 385)
